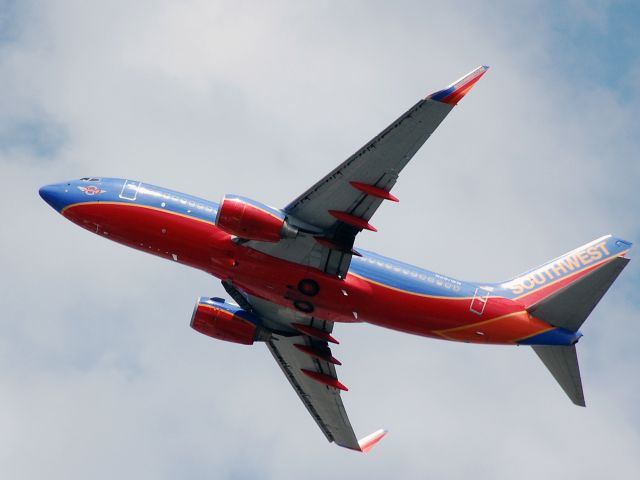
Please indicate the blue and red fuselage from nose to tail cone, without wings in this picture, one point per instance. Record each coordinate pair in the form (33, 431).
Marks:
(378, 290)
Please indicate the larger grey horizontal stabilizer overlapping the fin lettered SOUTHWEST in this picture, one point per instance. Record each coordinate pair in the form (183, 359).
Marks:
(570, 306)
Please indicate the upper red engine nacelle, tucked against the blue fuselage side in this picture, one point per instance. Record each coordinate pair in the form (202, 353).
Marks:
(251, 220)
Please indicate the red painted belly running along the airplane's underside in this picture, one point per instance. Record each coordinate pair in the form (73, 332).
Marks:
(199, 244)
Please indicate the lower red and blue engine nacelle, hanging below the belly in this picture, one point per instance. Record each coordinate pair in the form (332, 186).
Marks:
(218, 319)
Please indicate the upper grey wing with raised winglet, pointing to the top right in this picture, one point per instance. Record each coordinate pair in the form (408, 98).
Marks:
(334, 210)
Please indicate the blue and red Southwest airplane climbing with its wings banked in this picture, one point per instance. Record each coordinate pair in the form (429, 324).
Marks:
(293, 273)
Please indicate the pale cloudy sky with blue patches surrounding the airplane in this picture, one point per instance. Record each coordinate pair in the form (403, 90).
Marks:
(100, 374)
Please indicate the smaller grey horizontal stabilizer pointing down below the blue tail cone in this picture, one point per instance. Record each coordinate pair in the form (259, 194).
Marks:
(562, 362)
